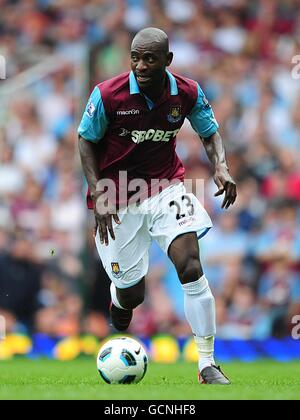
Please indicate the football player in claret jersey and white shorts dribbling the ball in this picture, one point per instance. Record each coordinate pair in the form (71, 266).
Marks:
(127, 142)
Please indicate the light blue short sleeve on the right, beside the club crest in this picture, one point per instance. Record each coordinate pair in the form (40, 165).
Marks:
(202, 117)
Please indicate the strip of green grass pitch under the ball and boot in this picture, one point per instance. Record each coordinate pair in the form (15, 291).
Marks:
(49, 379)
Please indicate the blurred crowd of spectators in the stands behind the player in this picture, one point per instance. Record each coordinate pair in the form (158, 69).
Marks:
(51, 279)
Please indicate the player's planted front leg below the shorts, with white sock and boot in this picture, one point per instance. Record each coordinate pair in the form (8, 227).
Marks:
(199, 304)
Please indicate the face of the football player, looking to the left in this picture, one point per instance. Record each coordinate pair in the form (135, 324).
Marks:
(149, 64)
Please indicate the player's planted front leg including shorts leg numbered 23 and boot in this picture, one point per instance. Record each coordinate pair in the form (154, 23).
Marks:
(174, 227)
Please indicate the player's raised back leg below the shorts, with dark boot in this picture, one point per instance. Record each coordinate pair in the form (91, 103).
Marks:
(124, 301)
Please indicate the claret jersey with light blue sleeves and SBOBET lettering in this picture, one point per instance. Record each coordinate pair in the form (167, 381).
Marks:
(139, 136)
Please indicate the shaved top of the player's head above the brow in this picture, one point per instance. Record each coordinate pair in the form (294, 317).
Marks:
(152, 37)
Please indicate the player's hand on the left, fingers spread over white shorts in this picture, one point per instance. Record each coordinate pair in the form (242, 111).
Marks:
(103, 218)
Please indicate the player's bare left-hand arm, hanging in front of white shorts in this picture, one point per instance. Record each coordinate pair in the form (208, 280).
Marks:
(103, 213)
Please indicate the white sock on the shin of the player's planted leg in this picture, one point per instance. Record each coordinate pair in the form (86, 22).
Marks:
(200, 312)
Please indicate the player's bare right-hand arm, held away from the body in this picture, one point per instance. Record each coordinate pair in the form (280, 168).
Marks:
(216, 153)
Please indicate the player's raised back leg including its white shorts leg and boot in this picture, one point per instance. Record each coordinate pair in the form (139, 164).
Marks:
(126, 262)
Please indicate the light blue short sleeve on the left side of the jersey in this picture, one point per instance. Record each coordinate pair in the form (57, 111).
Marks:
(94, 122)
